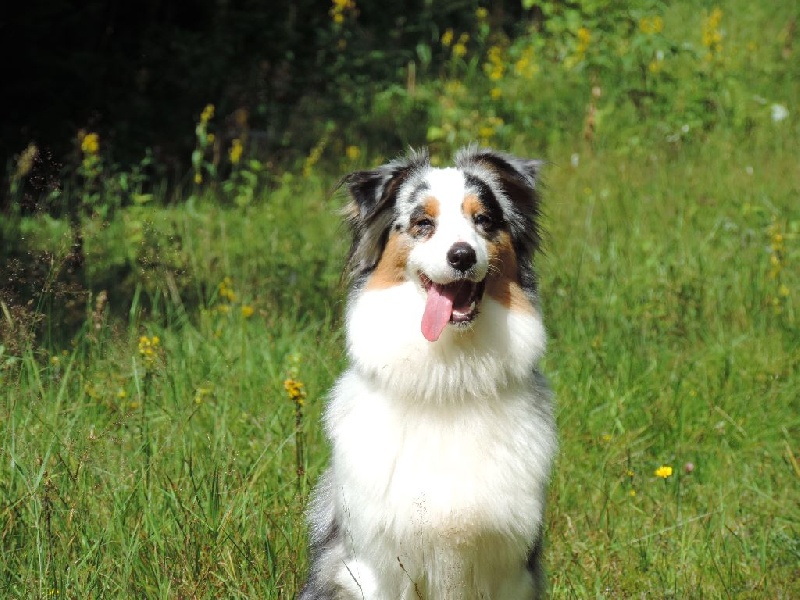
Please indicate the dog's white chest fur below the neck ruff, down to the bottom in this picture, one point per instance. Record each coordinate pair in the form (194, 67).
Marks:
(435, 496)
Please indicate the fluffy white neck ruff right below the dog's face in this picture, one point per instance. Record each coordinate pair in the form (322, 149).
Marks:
(498, 350)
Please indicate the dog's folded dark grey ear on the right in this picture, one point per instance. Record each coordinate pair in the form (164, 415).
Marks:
(517, 177)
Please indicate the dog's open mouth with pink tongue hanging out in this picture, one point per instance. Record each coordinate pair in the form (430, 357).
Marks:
(455, 302)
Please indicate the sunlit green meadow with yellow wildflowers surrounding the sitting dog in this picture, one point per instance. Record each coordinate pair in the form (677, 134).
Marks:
(163, 442)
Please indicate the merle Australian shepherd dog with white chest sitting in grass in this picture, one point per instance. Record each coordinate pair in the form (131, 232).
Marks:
(442, 427)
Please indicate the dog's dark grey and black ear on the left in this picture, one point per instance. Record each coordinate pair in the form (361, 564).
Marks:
(370, 211)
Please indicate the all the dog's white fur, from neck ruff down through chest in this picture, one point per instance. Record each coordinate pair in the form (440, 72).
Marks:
(441, 452)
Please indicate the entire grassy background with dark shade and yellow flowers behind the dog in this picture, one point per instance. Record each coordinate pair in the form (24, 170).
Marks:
(170, 308)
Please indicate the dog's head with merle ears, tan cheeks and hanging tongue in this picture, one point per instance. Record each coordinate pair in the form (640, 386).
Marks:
(456, 233)
